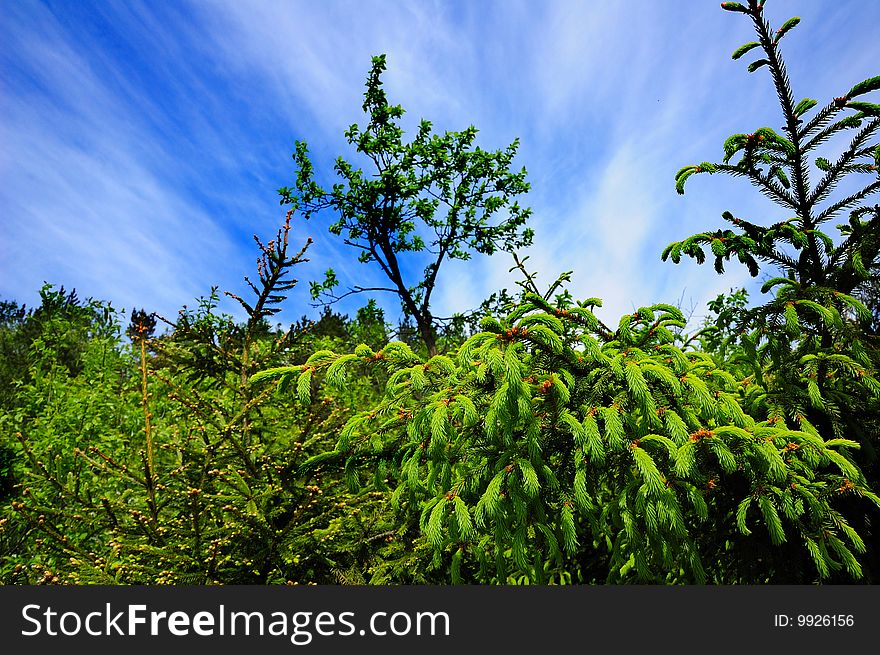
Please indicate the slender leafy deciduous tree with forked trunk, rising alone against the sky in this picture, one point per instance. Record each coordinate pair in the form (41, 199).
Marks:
(440, 196)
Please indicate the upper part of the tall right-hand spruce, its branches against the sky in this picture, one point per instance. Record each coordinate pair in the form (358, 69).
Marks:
(778, 166)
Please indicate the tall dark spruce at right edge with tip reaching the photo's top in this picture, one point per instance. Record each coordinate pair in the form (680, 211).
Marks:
(811, 348)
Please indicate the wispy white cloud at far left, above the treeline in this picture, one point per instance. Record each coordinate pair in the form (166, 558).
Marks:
(86, 195)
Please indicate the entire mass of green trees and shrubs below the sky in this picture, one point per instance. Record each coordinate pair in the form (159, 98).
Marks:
(528, 442)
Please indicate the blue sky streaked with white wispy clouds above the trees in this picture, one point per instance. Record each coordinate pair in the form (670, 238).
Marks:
(141, 144)
